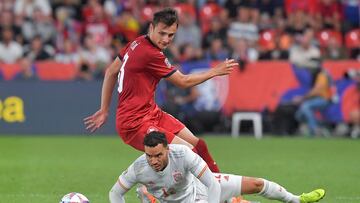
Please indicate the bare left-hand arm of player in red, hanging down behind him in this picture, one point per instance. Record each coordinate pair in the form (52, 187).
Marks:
(96, 120)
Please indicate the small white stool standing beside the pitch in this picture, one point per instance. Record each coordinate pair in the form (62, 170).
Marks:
(255, 117)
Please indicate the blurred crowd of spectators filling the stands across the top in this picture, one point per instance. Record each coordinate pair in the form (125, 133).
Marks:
(89, 33)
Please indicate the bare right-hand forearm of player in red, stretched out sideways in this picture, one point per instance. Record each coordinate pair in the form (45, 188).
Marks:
(186, 81)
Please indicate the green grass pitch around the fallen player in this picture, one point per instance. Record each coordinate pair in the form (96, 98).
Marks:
(43, 169)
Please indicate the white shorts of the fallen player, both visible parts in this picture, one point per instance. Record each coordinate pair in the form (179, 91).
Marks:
(230, 187)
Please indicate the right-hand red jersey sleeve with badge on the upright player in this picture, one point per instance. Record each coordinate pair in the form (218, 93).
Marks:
(159, 66)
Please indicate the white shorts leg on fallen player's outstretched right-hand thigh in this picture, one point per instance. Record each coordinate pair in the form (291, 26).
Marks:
(231, 185)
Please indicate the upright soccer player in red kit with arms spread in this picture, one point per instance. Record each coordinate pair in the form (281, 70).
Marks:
(138, 69)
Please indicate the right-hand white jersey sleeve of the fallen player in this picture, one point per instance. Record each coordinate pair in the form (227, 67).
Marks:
(194, 163)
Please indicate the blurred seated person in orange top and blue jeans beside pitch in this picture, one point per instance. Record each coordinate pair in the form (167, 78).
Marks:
(317, 99)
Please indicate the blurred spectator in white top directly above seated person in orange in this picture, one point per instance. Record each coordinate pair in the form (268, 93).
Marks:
(304, 51)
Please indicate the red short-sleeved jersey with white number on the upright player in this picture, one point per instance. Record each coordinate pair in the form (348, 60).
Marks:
(143, 66)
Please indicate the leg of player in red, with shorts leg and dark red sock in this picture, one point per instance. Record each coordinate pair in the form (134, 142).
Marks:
(173, 125)
